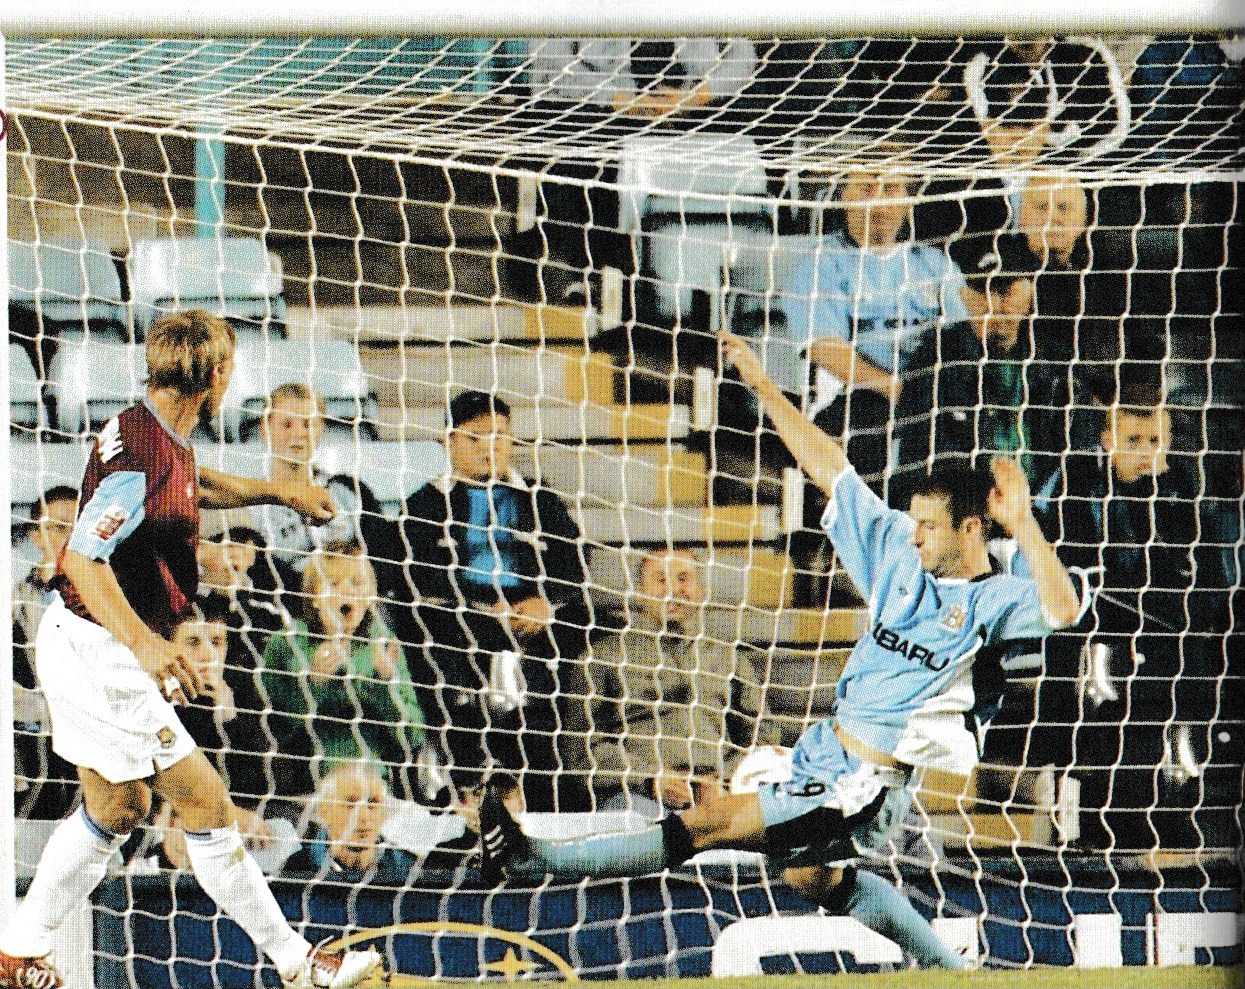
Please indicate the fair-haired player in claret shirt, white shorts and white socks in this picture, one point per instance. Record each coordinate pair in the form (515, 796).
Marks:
(113, 678)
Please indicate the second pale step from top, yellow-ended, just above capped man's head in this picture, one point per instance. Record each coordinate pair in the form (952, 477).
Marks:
(516, 374)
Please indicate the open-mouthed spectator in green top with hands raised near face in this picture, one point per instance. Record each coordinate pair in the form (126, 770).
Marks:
(337, 682)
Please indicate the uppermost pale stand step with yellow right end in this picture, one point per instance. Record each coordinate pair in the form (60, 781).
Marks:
(443, 324)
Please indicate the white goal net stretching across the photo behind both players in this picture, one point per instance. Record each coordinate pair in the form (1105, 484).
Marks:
(942, 247)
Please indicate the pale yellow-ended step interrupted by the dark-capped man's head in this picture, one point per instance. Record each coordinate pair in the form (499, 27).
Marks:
(551, 420)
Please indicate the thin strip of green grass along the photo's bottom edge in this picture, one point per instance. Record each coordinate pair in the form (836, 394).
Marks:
(1187, 977)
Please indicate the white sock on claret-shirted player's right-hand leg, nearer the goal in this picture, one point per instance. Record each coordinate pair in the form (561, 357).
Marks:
(235, 881)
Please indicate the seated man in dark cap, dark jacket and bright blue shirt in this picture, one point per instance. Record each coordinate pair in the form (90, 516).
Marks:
(492, 572)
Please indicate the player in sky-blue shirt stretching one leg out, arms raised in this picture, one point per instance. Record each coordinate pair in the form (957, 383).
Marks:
(937, 608)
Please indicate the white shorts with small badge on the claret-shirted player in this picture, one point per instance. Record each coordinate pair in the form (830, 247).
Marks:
(108, 713)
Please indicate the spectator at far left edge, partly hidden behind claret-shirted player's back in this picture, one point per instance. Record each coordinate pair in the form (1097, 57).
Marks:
(45, 784)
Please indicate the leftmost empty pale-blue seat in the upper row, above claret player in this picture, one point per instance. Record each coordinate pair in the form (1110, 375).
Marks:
(69, 288)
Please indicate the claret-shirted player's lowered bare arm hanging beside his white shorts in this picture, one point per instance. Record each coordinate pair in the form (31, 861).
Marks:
(103, 596)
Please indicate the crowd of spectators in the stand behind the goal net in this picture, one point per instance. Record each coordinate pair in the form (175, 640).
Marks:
(374, 658)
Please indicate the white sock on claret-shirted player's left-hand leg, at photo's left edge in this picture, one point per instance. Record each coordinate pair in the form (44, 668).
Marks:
(73, 865)
